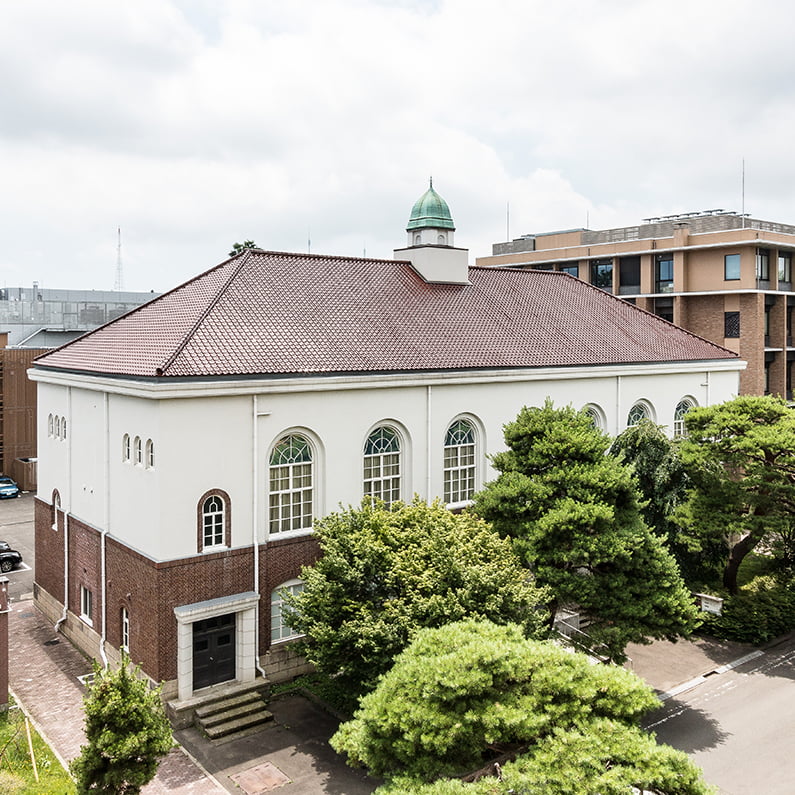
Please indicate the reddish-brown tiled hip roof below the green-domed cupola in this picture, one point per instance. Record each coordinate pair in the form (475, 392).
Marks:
(274, 313)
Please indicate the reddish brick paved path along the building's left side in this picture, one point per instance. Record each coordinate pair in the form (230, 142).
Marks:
(43, 671)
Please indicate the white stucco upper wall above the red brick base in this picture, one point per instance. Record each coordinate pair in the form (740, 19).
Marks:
(206, 436)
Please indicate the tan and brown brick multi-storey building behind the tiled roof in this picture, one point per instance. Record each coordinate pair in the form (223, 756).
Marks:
(723, 276)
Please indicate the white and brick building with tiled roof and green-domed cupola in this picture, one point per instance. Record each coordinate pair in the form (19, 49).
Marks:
(186, 447)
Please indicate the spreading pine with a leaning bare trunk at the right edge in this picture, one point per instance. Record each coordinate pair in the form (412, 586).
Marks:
(740, 457)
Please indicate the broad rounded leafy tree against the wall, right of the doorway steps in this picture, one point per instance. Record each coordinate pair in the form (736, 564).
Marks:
(386, 572)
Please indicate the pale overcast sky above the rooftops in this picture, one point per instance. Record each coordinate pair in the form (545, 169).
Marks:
(192, 124)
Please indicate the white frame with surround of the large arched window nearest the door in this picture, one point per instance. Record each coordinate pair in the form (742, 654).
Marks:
(290, 512)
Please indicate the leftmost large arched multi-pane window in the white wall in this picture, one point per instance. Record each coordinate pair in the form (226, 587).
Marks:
(290, 481)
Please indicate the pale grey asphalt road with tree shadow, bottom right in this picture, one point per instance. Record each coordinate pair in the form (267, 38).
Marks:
(739, 725)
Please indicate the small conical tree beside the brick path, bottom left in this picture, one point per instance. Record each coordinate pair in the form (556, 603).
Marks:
(127, 732)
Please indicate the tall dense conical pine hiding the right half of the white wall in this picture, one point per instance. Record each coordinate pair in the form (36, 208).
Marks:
(573, 512)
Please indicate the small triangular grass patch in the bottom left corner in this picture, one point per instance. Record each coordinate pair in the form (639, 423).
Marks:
(16, 768)
